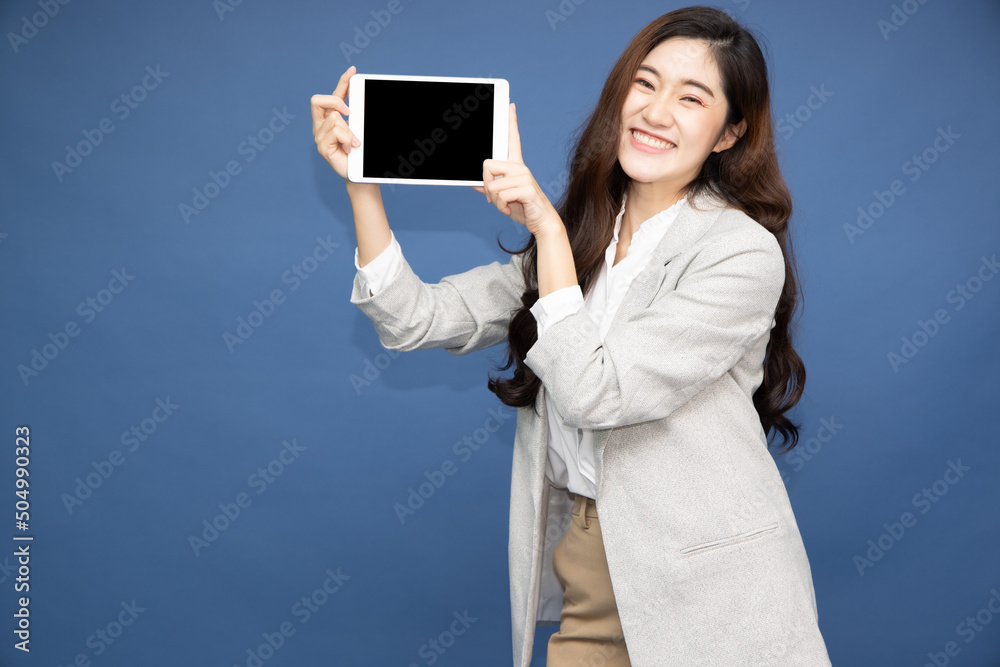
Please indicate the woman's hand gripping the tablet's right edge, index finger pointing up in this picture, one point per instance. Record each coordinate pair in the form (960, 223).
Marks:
(512, 189)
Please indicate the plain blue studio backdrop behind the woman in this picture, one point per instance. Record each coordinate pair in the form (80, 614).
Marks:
(363, 446)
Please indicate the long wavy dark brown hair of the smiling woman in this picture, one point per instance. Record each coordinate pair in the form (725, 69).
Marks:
(746, 176)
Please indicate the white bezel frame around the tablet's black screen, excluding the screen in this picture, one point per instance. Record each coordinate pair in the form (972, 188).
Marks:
(356, 101)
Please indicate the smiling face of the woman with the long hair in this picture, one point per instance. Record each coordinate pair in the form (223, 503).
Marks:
(673, 117)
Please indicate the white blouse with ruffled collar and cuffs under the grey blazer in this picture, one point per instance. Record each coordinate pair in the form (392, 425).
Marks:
(570, 462)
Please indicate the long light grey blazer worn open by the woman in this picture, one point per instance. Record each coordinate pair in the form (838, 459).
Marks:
(706, 559)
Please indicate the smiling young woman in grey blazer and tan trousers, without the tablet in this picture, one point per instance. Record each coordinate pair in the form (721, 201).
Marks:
(648, 323)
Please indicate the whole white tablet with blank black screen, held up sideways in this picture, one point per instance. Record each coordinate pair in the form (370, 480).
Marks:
(433, 130)
